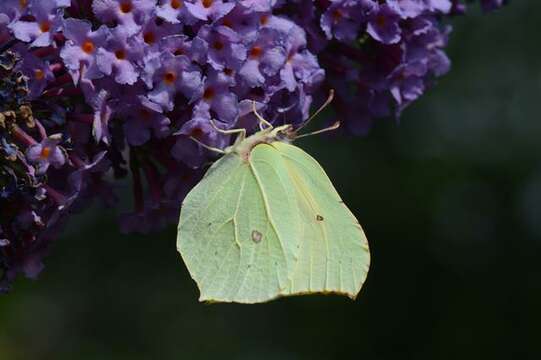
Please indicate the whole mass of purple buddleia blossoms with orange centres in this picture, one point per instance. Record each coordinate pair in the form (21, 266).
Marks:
(97, 87)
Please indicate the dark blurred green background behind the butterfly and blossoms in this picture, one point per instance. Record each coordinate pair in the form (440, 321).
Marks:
(450, 200)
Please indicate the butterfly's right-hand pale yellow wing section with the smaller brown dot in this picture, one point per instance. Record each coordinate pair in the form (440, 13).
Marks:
(334, 255)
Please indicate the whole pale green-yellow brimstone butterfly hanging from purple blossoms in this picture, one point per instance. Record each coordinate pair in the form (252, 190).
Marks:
(265, 221)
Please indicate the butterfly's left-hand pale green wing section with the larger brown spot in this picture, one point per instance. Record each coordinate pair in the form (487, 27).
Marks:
(239, 228)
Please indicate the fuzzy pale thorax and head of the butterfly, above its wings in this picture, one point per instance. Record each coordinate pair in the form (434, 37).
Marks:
(243, 147)
